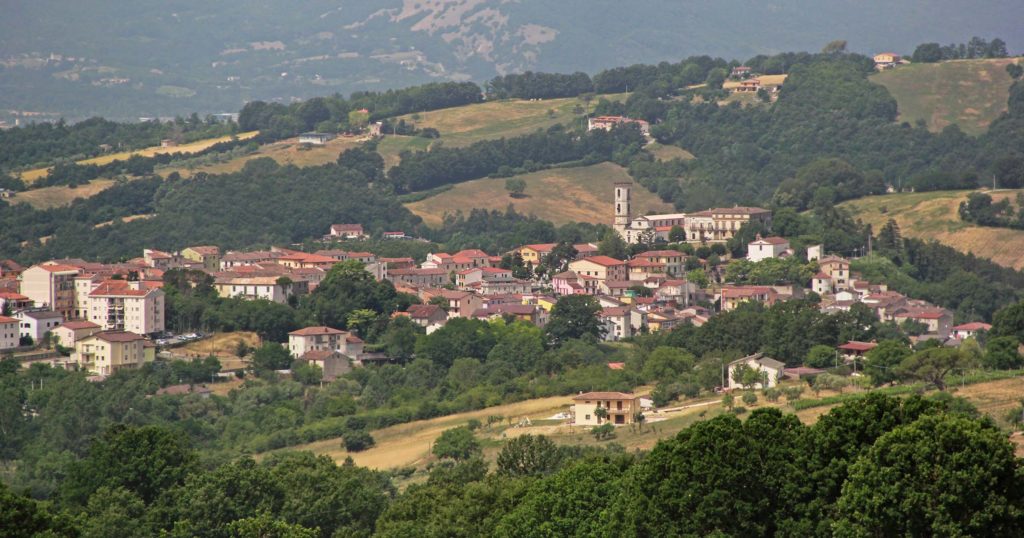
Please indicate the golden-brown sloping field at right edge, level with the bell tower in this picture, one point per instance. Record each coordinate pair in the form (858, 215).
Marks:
(934, 216)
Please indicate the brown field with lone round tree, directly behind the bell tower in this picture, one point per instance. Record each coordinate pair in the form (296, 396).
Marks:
(560, 195)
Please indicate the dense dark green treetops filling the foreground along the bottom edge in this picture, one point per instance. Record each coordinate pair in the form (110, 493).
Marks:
(857, 472)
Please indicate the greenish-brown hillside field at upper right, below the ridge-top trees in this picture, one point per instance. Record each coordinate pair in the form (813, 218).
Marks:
(968, 93)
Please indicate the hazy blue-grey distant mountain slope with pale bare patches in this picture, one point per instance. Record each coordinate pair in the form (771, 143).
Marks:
(125, 60)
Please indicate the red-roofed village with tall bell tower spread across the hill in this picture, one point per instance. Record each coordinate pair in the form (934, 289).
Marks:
(102, 318)
